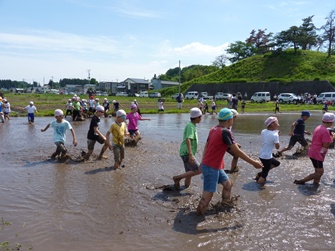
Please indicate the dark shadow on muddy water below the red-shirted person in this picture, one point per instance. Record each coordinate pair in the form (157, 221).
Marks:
(187, 222)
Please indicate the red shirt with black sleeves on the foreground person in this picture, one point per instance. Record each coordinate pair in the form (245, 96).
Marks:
(218, 141)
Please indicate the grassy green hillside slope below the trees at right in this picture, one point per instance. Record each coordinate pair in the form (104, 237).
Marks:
(285, 66)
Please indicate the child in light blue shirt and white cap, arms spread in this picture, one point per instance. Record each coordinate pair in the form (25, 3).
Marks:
(60, 126)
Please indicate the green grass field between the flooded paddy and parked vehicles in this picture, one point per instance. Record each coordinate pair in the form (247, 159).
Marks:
(47, 103)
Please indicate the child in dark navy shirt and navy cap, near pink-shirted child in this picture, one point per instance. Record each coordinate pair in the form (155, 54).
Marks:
(297, 133)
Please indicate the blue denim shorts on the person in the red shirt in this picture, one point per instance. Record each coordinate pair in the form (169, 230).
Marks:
(213, 177)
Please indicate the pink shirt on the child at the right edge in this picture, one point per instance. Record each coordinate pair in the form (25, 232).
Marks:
(320, 135)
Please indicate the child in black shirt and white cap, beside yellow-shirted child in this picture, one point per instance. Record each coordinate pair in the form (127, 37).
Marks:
(94, 135)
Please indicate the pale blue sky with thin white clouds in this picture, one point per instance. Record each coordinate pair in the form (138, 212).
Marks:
(112, 40)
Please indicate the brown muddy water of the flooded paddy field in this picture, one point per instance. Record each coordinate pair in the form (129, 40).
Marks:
(89, 206)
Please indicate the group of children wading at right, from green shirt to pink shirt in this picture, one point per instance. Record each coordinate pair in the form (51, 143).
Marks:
(221, 140)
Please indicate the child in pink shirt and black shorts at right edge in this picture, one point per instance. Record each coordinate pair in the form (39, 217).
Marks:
(318, 149)
